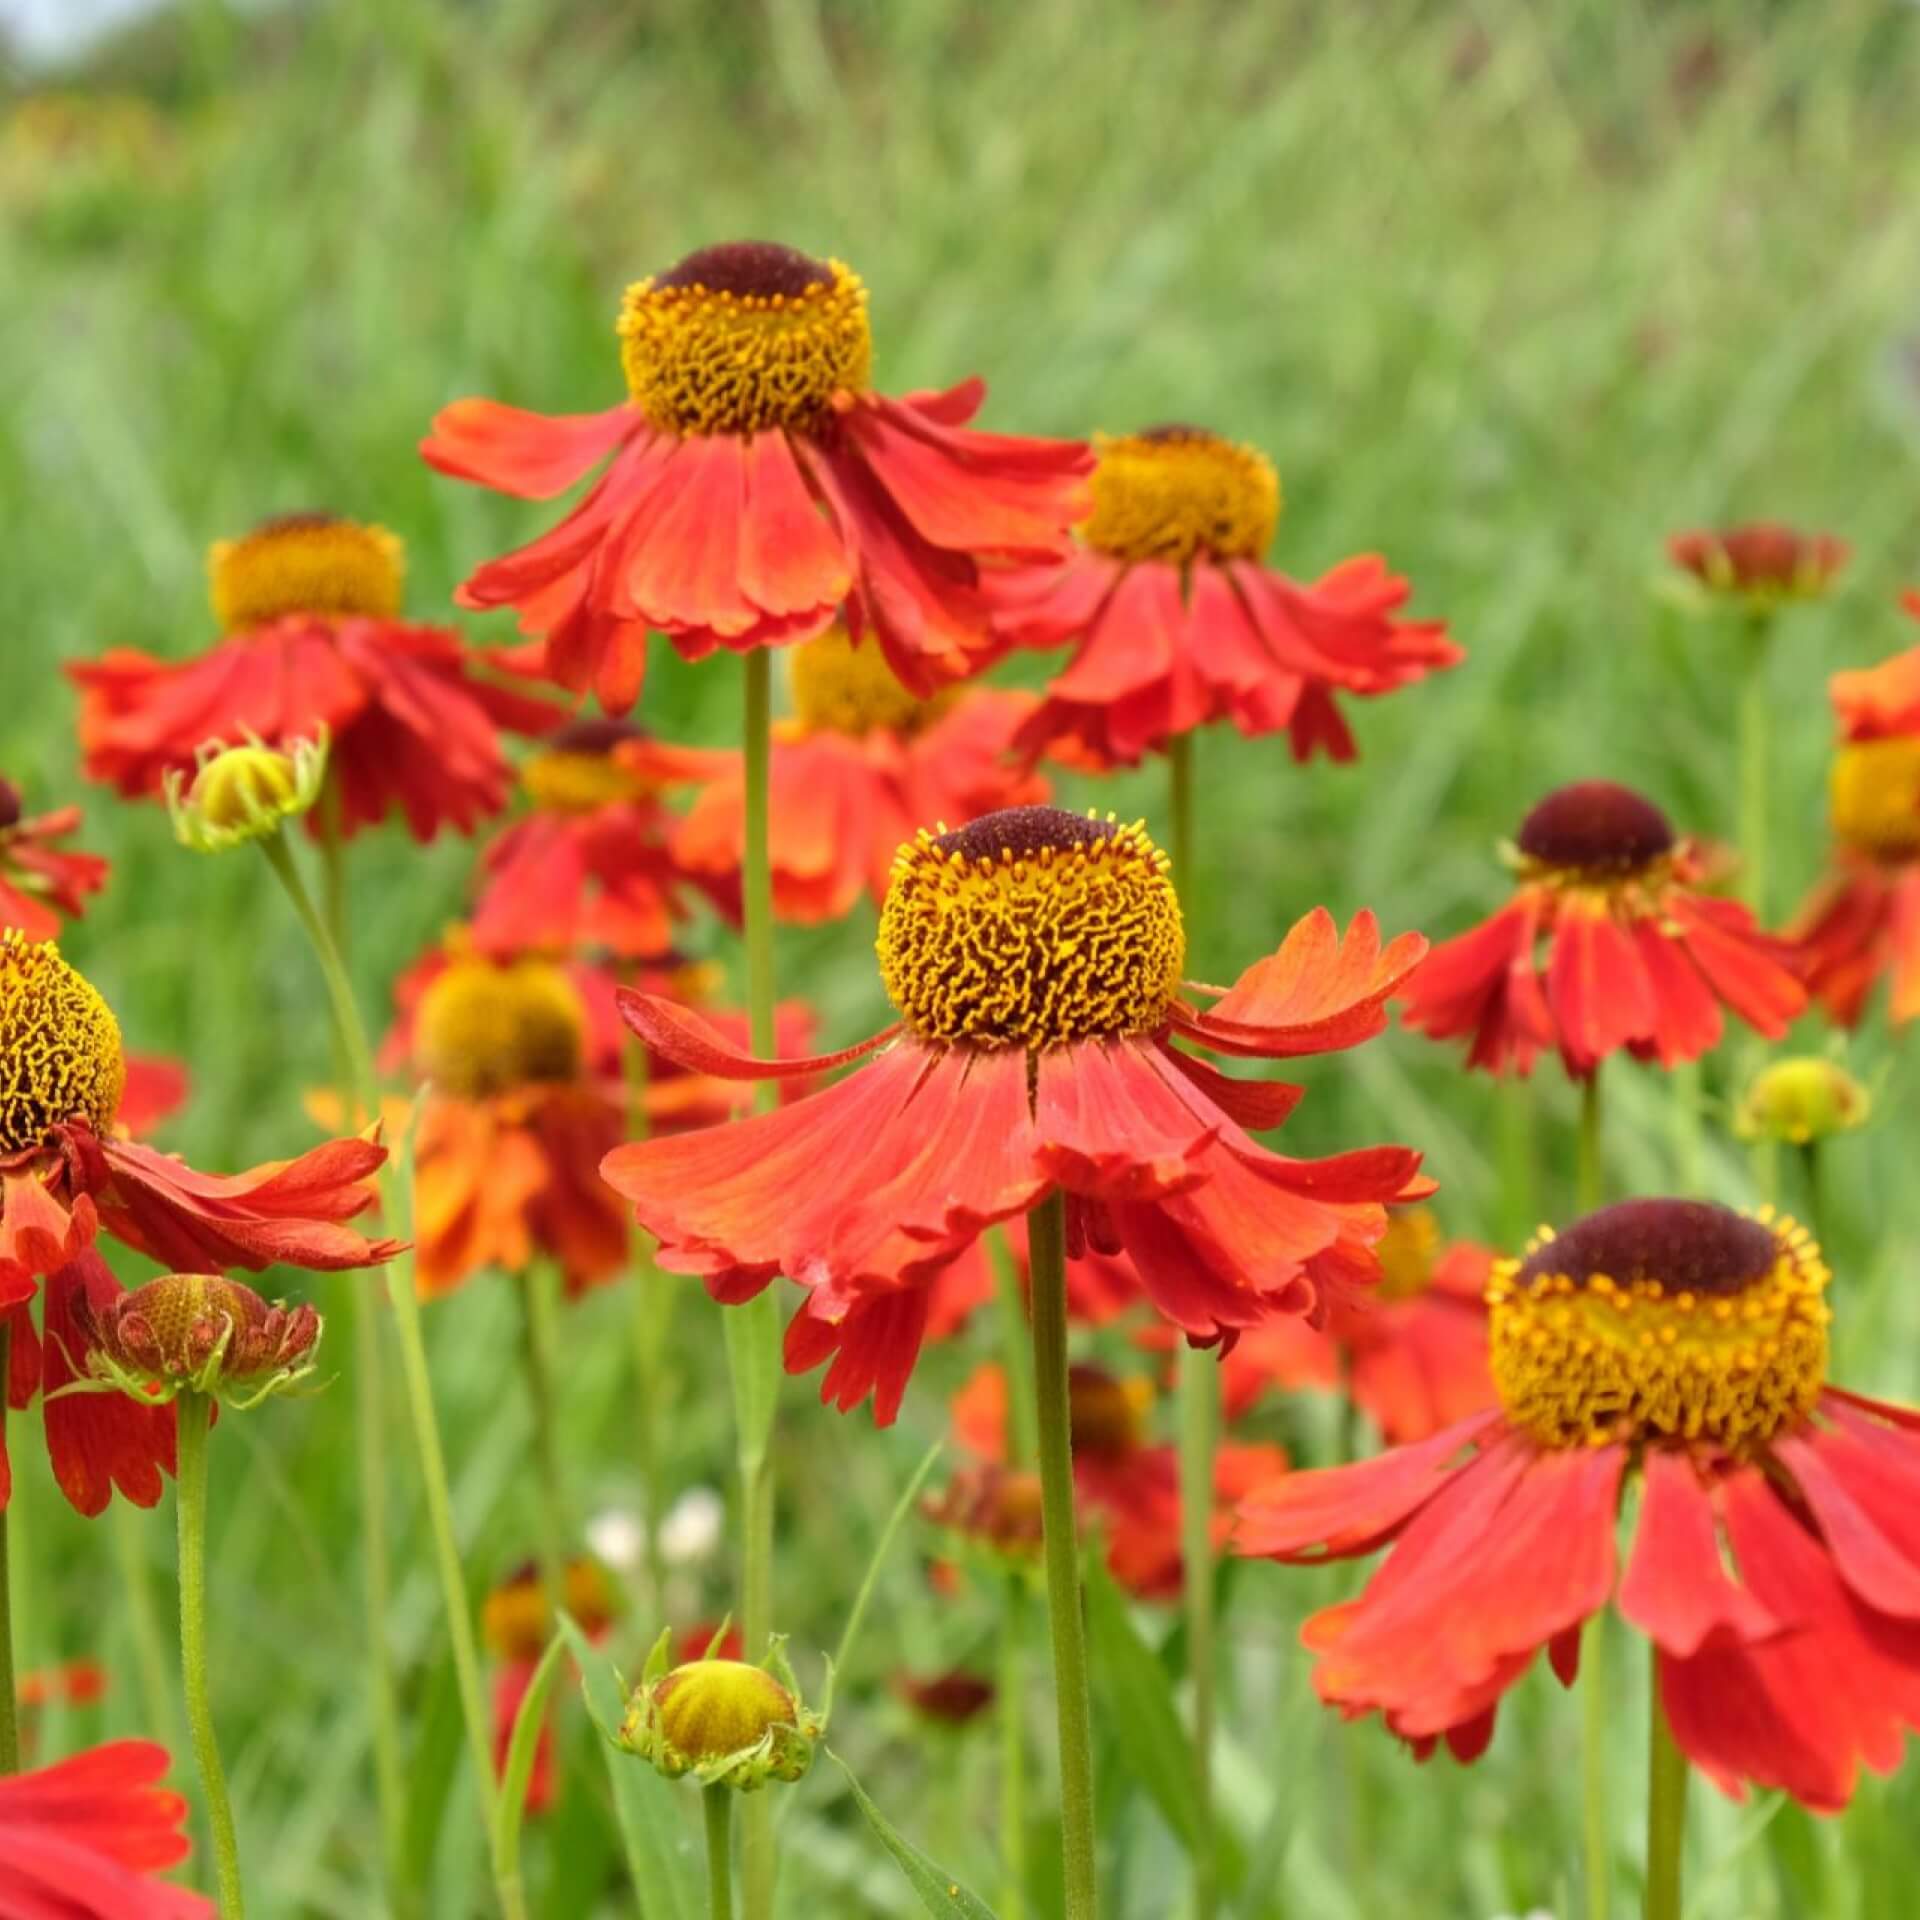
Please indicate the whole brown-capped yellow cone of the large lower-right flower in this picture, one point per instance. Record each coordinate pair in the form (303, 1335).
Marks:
(1666, 1320)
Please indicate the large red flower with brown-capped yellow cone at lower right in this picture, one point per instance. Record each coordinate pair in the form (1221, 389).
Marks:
(1775, 1566)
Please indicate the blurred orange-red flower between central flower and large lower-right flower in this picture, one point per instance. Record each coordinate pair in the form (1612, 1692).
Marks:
(1412, 1355)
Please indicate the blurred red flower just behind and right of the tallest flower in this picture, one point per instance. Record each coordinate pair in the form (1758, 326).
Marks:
(1178, 625)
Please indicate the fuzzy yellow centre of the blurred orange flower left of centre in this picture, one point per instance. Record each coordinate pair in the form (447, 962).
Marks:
(485, 1028)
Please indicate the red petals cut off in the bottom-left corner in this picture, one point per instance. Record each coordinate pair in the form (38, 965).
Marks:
(80, 1840)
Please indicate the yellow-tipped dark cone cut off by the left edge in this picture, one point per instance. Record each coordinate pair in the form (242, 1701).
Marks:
(60, 1047)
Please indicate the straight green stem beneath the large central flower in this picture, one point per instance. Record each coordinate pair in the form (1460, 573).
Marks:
(1047, 1264)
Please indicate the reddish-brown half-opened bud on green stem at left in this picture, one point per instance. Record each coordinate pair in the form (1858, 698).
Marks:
(203, 1333)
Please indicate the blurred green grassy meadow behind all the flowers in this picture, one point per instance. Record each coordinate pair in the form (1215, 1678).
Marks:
(1510, 291)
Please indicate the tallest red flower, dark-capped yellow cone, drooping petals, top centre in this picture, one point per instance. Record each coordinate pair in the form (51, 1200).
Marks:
(759, 487)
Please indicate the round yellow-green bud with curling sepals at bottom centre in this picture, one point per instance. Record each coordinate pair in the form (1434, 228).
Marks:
(723, 1721)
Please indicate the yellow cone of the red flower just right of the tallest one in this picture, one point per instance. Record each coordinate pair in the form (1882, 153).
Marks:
(1180, 494)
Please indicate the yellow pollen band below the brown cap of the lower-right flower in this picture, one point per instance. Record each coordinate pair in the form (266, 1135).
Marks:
(1593, 1362)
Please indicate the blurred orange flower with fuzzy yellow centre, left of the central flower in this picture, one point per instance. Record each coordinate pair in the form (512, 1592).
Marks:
(523, 1059)
